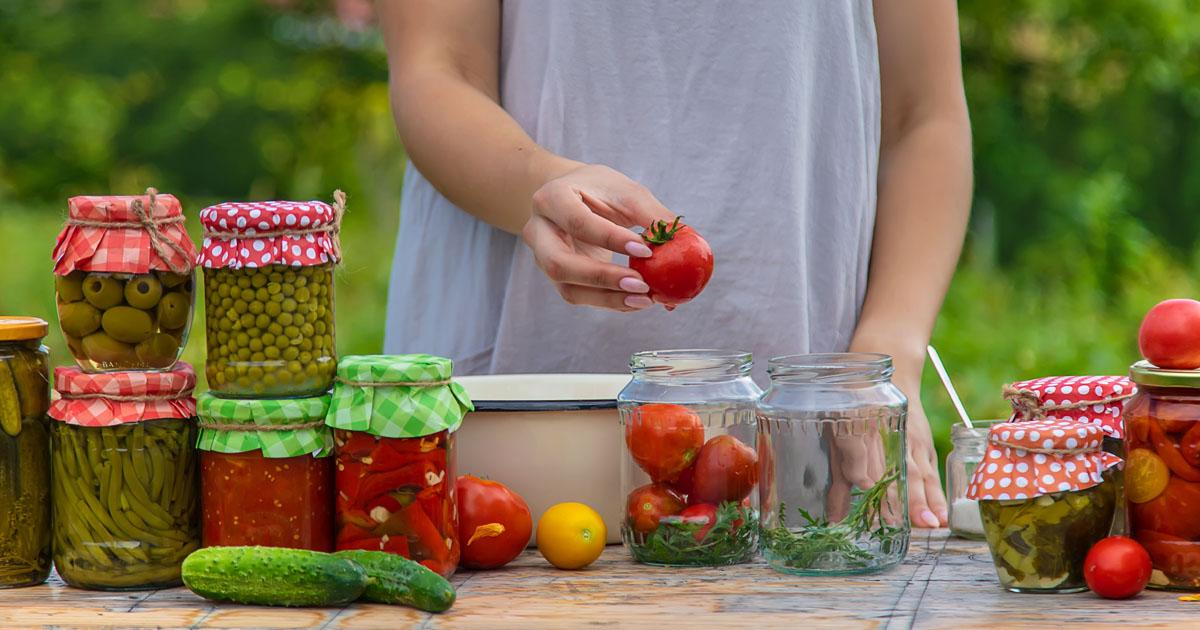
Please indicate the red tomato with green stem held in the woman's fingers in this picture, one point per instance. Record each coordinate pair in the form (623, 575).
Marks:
(679, 268)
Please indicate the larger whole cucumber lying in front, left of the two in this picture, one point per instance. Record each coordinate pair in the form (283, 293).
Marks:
(274, 577)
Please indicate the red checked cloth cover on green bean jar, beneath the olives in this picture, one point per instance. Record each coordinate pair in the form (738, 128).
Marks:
(103, 400)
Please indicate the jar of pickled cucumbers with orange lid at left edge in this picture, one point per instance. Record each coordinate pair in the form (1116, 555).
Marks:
(25, 453)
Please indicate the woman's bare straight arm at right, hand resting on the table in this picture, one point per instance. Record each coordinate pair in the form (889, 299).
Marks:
(925, 202)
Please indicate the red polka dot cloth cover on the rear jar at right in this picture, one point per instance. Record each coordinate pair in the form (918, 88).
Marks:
(1096, 400)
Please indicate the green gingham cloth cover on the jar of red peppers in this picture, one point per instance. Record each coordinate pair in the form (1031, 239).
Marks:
(398, 412)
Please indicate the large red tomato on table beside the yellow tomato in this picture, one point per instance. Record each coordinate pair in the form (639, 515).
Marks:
(495, 524)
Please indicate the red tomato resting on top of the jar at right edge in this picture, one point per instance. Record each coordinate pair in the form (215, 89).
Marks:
(1169, 337)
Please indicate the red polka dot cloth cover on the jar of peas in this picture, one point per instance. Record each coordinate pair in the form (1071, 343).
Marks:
(315, 221)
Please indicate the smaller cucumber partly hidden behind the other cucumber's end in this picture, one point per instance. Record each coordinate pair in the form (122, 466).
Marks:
(397, 580)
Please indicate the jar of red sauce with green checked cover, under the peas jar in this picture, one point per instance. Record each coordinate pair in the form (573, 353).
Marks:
(267, 472)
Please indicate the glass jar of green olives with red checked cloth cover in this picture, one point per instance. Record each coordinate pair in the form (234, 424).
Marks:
(124, 283)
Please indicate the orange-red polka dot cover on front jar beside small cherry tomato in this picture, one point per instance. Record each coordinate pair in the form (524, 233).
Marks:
(1028, 460)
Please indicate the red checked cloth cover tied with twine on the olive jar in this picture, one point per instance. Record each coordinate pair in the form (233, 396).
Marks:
(123, 250)
